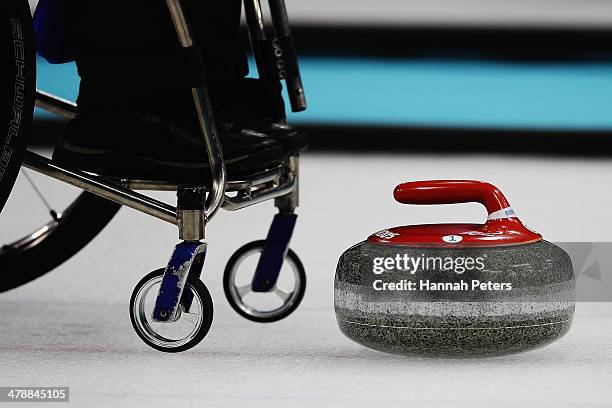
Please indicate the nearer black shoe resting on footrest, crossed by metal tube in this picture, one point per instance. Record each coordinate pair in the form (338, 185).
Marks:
(150, 146)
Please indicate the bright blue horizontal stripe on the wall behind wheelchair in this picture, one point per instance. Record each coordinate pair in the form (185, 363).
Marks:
(445, 93)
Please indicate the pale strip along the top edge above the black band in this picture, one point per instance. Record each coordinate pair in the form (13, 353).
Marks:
(489, 13)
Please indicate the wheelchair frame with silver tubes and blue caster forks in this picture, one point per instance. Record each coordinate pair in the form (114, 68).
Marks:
(197, 205)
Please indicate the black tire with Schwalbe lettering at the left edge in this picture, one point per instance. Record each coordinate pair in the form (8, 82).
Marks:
(17, 88)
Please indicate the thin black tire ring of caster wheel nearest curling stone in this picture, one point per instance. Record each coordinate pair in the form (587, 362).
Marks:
(227, 283)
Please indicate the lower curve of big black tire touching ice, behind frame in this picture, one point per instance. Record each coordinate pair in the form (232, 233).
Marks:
(33, 256)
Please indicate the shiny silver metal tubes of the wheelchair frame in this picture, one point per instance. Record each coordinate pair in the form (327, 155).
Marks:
(272, 184)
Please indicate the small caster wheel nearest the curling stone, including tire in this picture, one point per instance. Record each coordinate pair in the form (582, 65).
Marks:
(265, 307)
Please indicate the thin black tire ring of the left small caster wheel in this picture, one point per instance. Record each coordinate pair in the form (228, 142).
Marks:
(197, 286)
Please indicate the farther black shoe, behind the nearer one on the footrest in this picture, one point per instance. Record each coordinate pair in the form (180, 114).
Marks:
(253, 104)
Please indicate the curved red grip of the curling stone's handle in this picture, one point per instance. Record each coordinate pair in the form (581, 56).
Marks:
(454, 192)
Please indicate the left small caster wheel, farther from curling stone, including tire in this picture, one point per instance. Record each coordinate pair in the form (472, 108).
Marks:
(181, 333)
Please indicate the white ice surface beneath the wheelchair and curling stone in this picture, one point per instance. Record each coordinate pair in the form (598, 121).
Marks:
(72, 328)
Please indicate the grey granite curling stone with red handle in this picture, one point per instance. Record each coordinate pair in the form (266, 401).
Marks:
(455, 290)
